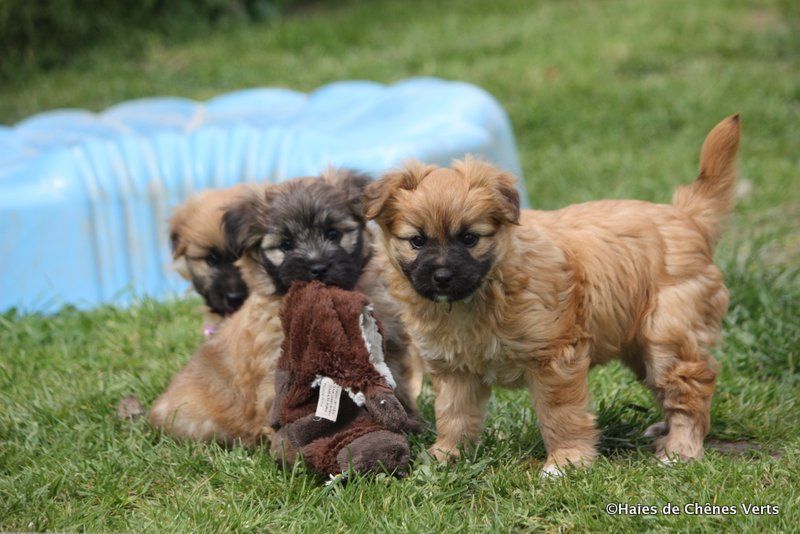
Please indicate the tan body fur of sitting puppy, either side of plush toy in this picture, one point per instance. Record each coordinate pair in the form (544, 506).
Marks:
(226, 390)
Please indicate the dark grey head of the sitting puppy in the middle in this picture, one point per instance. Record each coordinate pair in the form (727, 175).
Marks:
(304, 229)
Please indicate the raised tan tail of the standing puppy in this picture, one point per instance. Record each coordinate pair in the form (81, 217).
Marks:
(709, 199)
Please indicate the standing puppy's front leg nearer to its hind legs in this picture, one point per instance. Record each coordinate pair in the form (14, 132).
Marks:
(560, 393)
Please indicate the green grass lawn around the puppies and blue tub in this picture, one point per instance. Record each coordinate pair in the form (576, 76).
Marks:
(608, 98)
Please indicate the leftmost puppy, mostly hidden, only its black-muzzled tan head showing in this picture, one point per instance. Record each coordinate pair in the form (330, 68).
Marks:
(201, 253)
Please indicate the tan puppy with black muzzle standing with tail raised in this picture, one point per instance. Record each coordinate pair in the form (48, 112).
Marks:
(493, 296)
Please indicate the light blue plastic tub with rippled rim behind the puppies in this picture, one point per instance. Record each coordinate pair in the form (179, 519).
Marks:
(85, 198)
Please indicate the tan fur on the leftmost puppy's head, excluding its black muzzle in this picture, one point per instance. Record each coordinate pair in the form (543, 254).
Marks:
(196, 228)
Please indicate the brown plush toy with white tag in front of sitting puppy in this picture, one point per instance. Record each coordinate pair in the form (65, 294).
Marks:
(334, 400)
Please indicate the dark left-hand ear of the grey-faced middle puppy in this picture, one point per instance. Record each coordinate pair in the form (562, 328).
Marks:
(243, 221)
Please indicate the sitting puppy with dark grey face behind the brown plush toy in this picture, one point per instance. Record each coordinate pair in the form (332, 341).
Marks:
(304, 229)
